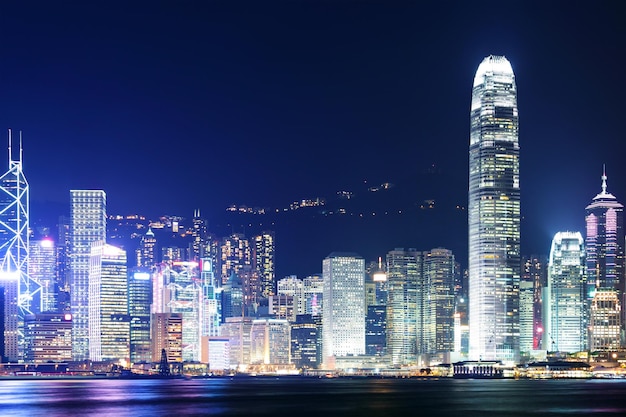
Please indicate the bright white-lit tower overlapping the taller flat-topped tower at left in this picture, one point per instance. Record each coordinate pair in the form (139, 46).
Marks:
(109, 324)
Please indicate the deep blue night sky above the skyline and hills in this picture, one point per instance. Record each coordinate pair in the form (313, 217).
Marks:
(172, 106)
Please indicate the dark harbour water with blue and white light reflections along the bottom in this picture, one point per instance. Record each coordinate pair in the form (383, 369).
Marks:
(300, 397)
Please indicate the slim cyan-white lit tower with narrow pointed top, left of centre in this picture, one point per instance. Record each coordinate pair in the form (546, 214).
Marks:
(211, 302)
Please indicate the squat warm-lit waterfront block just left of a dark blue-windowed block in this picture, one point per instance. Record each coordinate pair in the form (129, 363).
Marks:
(270, 342)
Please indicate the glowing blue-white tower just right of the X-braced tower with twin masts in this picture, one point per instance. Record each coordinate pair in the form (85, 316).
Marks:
(42, 270)
